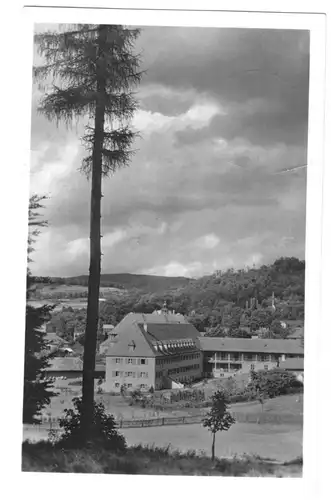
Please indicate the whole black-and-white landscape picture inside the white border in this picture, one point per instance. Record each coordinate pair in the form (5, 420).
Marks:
(167, 254)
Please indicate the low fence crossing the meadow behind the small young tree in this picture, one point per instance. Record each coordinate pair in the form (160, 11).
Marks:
(241, 417)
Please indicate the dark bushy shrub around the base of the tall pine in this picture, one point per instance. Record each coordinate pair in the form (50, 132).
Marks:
(105, 434)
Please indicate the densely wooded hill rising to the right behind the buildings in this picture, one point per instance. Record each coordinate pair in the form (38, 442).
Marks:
(209, 297)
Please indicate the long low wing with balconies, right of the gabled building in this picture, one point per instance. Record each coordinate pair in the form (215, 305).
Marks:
(223, 357)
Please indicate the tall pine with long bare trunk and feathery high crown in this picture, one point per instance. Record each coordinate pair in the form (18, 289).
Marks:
(93, 69)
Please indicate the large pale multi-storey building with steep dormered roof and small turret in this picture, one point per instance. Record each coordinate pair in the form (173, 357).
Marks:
(153, 350)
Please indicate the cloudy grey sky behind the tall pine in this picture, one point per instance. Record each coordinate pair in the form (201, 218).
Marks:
(222, 112)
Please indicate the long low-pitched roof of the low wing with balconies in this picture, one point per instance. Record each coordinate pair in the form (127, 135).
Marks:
(275, 346)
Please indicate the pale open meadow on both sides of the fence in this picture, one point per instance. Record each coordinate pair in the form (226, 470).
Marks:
(281, 442)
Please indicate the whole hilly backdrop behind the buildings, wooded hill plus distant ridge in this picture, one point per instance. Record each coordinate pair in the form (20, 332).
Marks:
(209, 301)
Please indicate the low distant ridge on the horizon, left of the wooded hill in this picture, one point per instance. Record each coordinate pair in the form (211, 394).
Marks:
(143, 282)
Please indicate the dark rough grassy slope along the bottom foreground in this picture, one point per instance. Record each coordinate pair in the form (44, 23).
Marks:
(150, 460)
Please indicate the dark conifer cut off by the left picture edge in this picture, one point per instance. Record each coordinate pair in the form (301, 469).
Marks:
(37, 390)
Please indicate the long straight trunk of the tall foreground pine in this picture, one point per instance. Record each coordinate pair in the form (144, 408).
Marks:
(95, 259)
